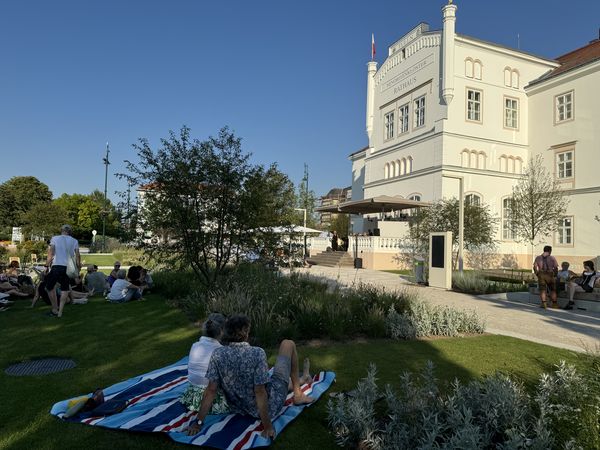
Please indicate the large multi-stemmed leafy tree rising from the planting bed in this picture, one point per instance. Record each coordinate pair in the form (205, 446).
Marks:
(203, 201)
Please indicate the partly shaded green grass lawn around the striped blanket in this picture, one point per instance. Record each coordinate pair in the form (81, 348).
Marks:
(111, 343)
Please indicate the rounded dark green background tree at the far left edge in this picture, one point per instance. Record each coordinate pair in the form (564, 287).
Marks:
(18, 195)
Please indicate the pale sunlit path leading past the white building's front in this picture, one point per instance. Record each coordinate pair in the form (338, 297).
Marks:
(505, 314)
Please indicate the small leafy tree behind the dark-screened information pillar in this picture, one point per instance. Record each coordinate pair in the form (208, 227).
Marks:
(479, 226)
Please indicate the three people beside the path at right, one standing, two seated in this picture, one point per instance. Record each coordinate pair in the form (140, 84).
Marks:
(550, 278)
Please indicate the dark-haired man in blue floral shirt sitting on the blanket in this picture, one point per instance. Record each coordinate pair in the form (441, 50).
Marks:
(241, 372)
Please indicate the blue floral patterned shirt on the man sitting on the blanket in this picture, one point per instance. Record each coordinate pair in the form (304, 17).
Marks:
(236, 369)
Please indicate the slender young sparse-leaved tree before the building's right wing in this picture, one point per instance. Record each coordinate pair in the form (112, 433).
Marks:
(537, 203)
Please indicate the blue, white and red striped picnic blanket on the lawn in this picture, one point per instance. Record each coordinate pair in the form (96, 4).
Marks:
(153, 406)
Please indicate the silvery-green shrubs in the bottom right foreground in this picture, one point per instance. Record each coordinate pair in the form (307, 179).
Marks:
(495, 412)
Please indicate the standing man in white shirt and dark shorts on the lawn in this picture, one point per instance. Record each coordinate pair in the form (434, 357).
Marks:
(61, 249)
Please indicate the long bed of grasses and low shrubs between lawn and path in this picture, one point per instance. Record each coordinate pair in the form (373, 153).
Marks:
(297, 307)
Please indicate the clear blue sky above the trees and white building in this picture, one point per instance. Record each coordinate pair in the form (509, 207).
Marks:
(288, 77)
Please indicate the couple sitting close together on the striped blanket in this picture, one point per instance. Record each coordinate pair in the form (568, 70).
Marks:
(228, 375)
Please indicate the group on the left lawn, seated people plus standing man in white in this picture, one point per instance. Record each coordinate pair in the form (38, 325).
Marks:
(56, 288)
